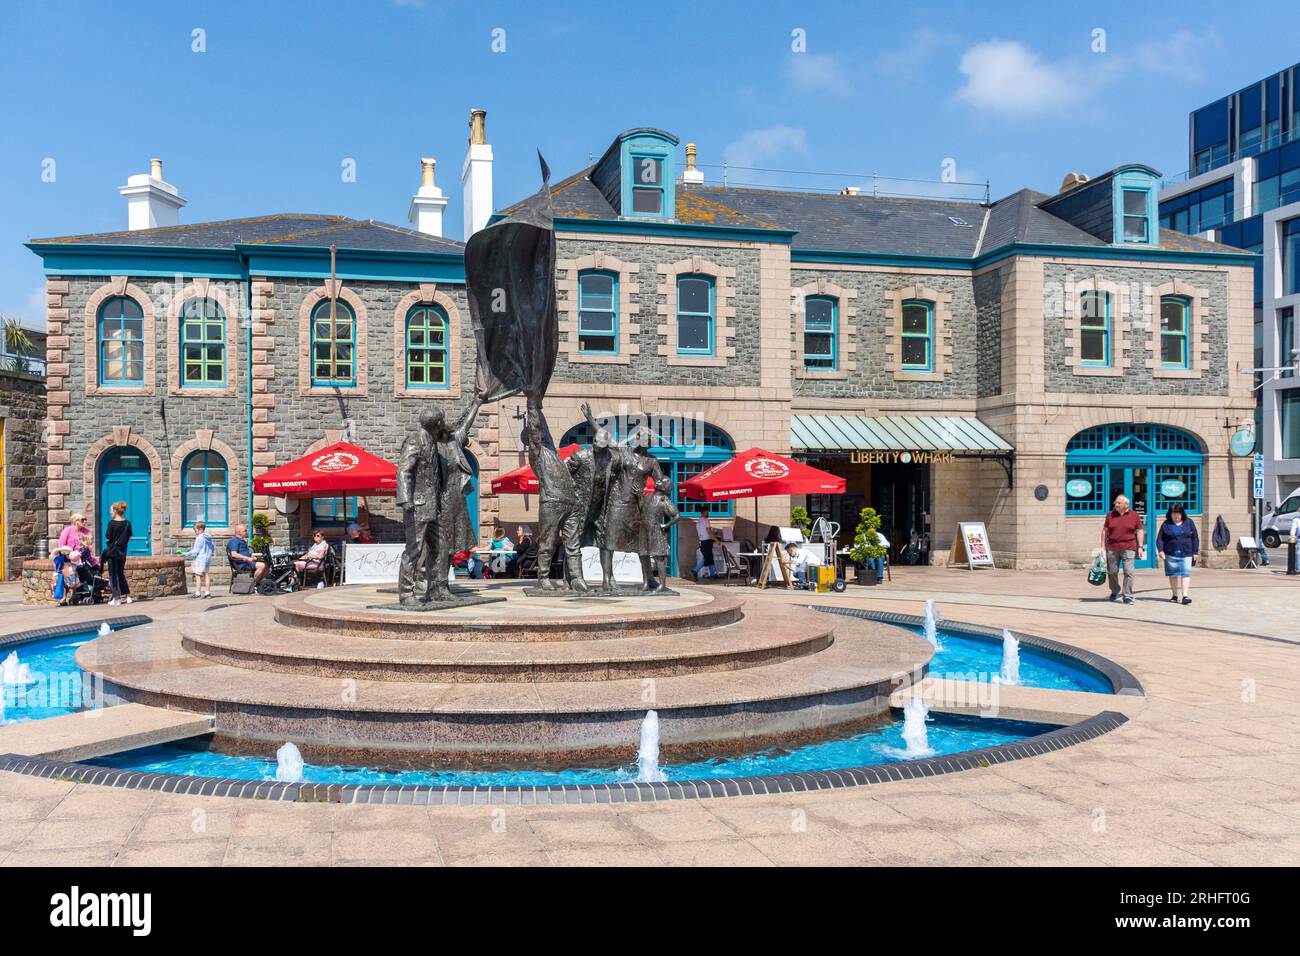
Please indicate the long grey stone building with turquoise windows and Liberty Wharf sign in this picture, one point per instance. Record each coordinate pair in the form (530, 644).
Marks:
(951, 317)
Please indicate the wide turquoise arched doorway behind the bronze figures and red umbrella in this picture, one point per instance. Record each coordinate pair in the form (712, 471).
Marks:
(684, 448)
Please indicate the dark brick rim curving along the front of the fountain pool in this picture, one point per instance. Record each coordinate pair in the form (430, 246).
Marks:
(569, 795)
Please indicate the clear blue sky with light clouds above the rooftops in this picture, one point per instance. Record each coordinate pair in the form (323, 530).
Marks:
(285, 93)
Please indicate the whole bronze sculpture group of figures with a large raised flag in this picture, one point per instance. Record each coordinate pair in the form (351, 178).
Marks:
(599, 498)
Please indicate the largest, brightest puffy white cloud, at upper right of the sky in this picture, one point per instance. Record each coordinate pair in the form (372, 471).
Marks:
(1006, 76)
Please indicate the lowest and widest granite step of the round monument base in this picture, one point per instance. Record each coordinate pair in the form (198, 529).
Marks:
(804, 698)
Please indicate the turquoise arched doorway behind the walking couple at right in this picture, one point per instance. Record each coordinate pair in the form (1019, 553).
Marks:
(1154, 466)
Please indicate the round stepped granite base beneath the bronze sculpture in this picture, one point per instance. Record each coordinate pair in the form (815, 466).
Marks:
(522, 682)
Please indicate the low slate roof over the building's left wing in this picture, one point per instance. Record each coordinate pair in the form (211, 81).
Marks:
(283, 230)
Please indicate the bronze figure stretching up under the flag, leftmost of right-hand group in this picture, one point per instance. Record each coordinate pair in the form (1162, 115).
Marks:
(560, 517)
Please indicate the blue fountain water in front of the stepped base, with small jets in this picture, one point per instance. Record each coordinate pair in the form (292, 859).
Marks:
(948, 734)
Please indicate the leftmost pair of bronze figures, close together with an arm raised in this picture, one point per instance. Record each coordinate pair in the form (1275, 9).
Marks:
(434, 477)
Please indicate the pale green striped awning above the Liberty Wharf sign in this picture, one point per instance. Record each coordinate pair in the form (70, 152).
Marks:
(959, 434)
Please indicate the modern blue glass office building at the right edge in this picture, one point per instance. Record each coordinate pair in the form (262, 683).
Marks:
(1243, 189)
